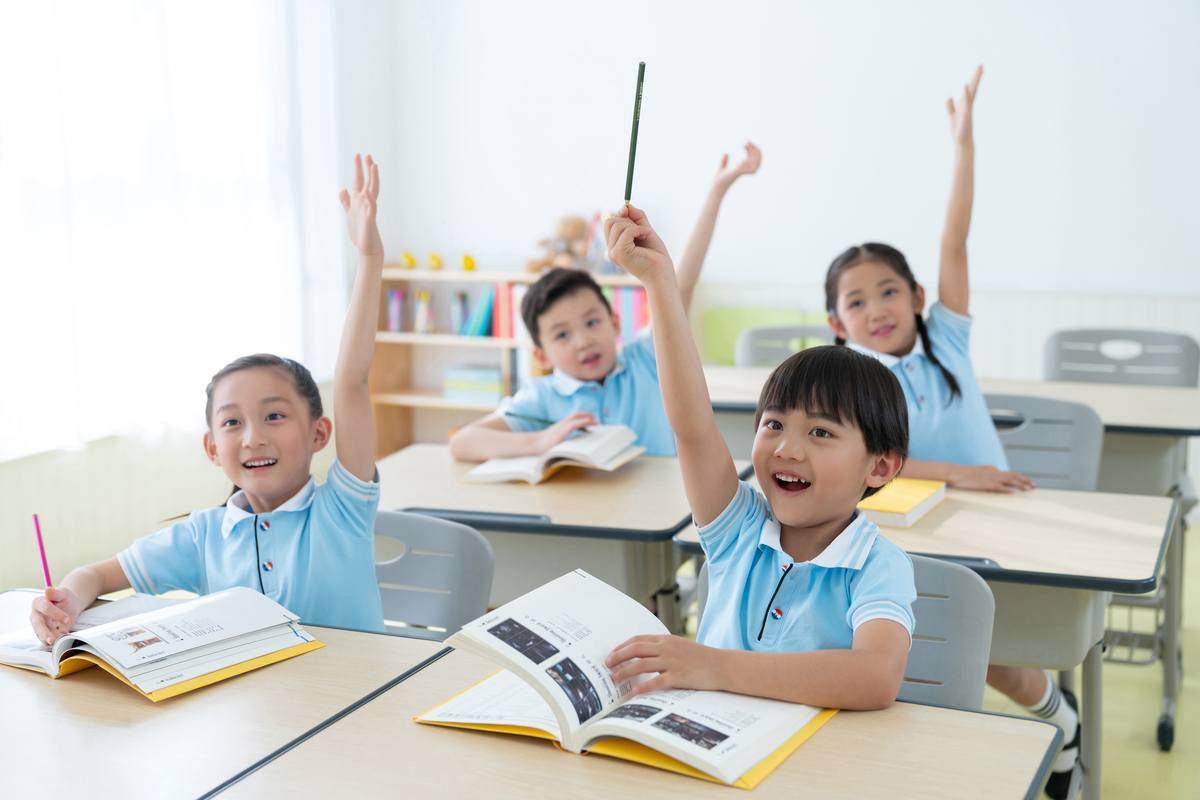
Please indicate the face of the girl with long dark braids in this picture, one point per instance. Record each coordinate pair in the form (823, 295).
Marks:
(877, 309)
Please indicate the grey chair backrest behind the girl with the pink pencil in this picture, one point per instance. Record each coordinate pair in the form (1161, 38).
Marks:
(433, 574)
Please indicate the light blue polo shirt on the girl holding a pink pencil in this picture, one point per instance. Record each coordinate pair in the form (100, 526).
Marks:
(316, 552)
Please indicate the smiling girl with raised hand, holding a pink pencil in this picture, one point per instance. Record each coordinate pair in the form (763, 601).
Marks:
(308, 546)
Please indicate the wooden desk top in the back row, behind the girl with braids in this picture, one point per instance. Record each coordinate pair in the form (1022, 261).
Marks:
(1162, 411)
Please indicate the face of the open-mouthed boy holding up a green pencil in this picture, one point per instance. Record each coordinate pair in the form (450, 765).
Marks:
(829, 458)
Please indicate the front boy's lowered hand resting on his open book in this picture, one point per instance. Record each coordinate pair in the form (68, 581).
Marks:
(680, 664)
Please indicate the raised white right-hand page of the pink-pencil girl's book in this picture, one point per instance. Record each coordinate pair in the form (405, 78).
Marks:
(193, 624)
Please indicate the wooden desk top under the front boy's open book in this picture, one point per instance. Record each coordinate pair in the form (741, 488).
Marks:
(908, 751)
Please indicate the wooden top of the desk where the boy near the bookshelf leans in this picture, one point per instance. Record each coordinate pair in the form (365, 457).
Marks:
(643, 501)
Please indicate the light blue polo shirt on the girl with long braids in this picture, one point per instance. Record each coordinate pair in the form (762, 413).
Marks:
(958, 432)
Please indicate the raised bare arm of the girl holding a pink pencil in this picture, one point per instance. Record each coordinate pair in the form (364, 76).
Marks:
(353, 423)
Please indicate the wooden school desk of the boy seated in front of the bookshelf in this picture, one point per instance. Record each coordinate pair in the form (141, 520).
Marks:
(617, 526)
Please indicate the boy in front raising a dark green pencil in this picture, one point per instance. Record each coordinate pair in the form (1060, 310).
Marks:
(808, 603)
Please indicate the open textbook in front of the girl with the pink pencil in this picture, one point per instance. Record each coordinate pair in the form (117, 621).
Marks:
(161, 647)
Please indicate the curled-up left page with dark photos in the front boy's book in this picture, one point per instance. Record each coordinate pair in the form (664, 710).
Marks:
(559, 636)
